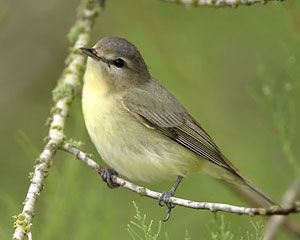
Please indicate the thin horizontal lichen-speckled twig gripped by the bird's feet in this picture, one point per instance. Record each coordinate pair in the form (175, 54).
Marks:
(214, 207)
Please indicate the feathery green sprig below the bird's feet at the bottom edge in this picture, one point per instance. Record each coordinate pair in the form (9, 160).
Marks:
(139, 229)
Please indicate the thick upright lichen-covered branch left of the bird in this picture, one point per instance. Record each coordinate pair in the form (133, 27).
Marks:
(63, 95)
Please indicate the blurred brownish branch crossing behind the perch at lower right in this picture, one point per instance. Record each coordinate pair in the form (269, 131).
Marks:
(275, 222)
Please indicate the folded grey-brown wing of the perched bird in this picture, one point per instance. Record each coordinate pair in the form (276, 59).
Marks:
(171, 119)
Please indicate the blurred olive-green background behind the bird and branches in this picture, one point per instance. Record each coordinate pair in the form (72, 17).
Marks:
(211, 59)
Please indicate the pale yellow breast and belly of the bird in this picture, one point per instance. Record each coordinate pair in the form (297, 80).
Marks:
(132, 149)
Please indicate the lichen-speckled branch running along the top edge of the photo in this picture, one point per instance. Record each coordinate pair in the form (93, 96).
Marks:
(220, 3)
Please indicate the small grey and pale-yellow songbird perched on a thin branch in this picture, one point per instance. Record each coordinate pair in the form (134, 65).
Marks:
(139, 128)
